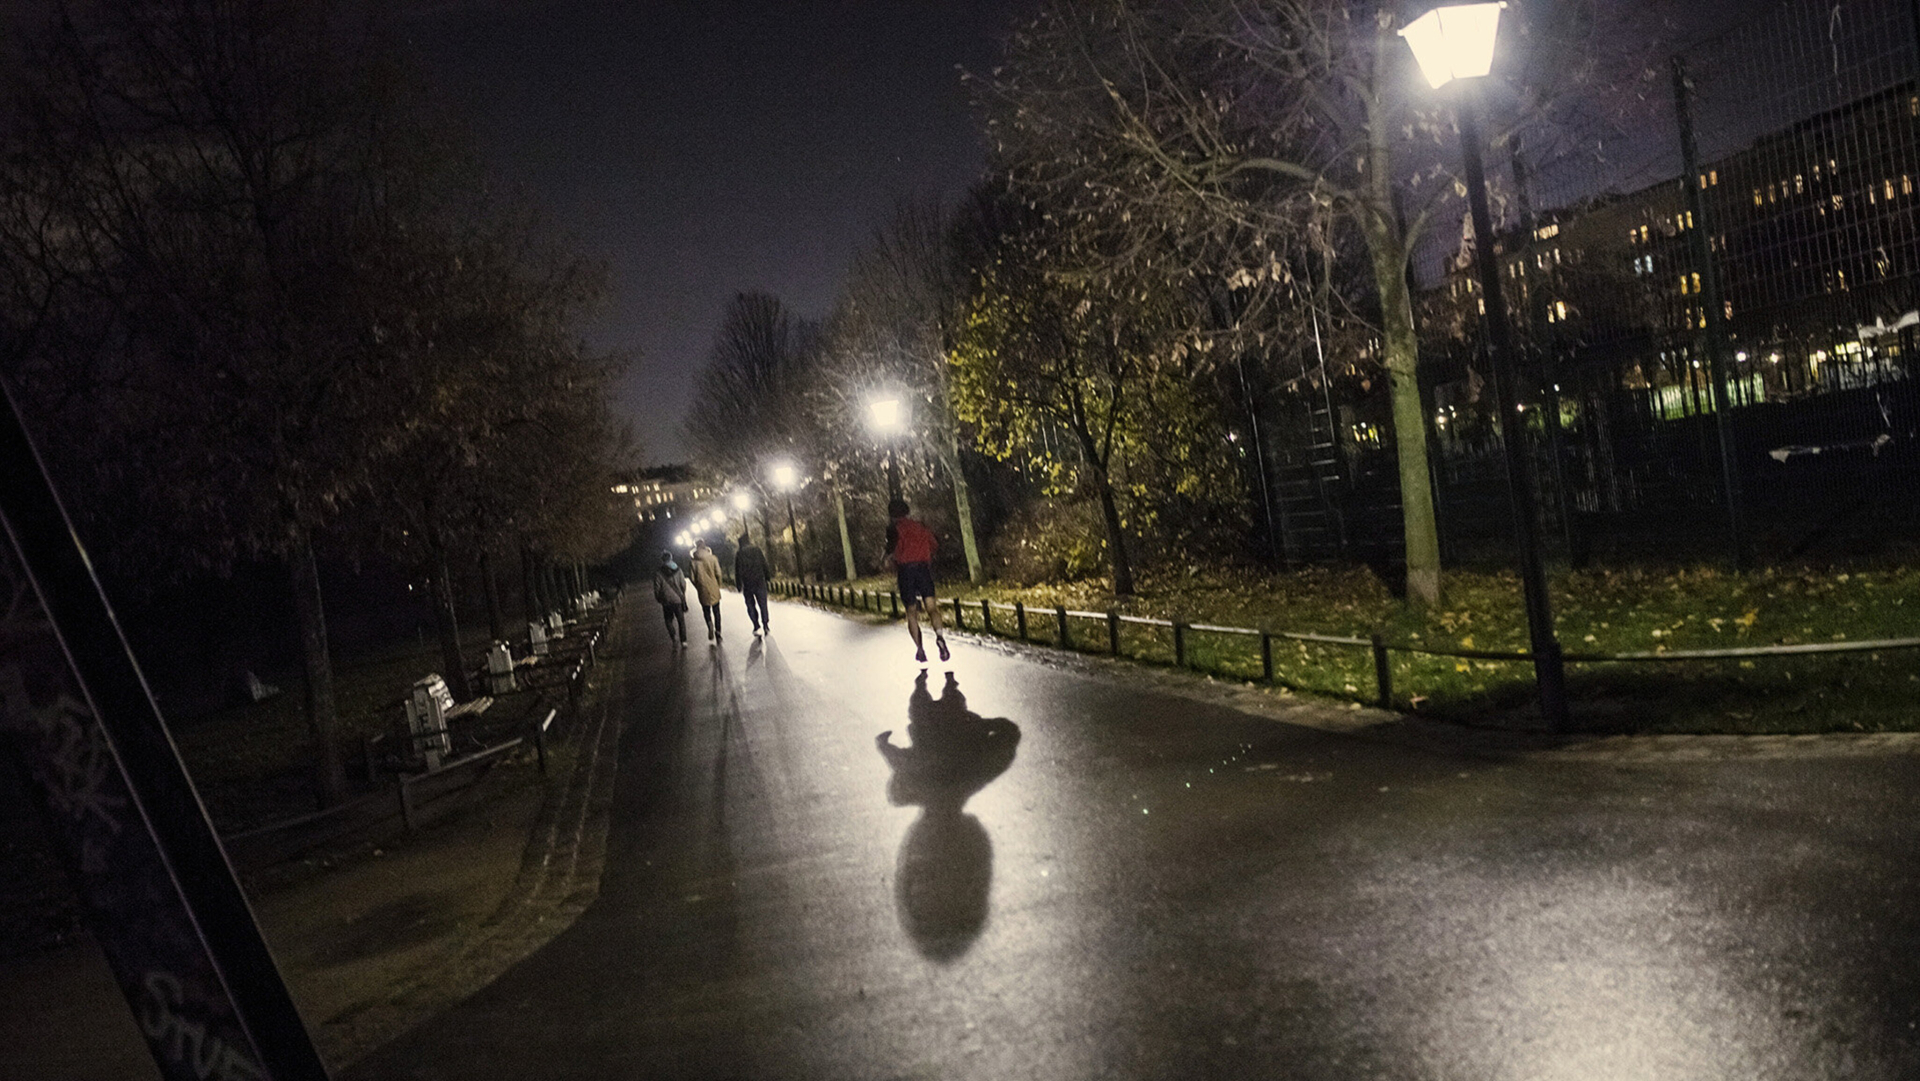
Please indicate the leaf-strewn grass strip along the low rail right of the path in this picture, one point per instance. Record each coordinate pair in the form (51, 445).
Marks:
(1621, 612)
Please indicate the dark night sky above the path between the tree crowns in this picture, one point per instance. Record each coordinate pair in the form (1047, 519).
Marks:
(711, 147)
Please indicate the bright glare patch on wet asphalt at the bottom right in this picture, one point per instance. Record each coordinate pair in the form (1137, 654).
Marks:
(1575, 978)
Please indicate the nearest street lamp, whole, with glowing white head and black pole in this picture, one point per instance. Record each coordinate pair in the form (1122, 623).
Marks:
(1458, 43)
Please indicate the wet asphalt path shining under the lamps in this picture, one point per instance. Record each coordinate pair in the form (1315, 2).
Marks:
(1044, 877)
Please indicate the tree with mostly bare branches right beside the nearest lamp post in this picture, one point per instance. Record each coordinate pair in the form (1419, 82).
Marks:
(1287, 120)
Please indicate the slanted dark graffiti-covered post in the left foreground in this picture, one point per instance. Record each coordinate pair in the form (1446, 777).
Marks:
(143, 857)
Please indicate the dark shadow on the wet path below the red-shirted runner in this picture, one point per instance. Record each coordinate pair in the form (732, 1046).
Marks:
(946, 865)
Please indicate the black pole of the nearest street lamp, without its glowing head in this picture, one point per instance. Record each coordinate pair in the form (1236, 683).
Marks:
(1550, 673)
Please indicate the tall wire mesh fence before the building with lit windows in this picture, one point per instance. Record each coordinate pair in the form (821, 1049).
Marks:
(1719, 316)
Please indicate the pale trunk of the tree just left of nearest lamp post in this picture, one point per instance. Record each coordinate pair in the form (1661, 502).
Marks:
(1410, 418)
